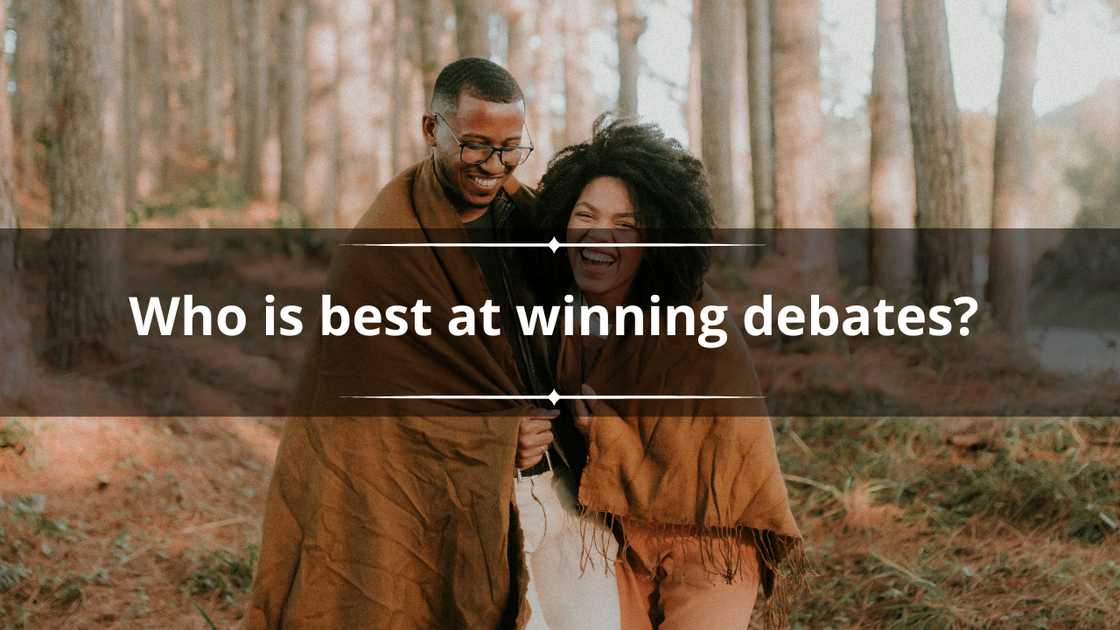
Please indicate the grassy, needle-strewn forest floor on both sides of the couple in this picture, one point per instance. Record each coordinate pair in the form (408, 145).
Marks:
(938, 523)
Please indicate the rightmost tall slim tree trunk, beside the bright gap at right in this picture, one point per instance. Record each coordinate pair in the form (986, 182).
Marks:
(1010, 276)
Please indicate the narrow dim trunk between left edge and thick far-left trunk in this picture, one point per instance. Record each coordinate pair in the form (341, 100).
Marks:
(33, 92)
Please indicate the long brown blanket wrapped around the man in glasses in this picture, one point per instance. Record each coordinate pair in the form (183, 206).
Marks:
(399, 522)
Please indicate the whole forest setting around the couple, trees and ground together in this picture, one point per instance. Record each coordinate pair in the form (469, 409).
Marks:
(292, 115)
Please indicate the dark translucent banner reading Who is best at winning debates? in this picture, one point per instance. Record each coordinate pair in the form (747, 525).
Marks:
(839, 323)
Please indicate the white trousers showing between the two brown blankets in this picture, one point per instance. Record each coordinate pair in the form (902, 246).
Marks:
(562, 596)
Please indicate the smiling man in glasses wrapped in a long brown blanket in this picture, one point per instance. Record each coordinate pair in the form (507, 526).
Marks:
(405, 521)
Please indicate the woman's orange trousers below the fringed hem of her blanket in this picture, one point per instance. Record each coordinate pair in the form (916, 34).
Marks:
(664, 579)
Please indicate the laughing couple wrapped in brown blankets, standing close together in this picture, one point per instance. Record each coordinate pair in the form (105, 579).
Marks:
(498, 514)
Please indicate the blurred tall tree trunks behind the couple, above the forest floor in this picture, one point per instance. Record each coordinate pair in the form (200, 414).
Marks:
(297, 112)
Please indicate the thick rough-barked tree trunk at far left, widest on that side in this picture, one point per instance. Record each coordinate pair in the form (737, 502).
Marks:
(85, 180)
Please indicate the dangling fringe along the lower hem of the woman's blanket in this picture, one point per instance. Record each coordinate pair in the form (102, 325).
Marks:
(783, 568)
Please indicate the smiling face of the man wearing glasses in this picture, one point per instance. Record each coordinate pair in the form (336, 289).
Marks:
(497, 125)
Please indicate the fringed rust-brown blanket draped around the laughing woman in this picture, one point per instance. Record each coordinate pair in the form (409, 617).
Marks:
(706, 468)
